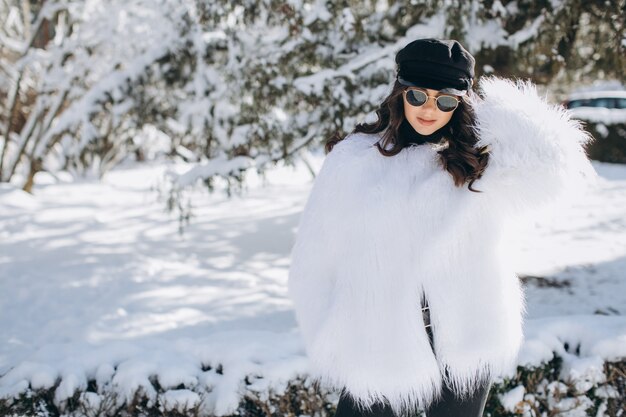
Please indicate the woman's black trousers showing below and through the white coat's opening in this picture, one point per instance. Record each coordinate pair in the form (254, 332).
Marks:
(449, 405)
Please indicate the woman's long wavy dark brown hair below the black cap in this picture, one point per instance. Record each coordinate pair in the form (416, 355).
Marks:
(460, 158)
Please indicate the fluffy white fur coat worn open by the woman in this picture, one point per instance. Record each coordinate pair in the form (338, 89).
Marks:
(376, 231)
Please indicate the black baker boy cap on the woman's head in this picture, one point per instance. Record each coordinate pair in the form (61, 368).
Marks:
(437, 64)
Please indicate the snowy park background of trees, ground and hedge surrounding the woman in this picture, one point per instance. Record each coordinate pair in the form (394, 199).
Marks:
(155, 156)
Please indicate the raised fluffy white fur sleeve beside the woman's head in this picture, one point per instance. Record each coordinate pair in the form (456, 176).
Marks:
(536, 149)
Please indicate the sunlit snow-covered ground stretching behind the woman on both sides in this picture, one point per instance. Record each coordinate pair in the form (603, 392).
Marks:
(96, 282)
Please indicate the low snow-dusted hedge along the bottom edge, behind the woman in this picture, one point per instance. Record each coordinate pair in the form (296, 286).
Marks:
(534, 392)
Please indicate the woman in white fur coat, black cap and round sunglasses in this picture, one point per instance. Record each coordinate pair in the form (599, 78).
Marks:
(401, 291)
